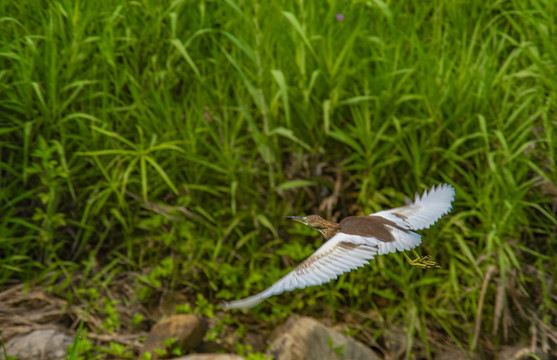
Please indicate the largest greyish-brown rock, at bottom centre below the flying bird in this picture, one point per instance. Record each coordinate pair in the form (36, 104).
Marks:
(306, 338)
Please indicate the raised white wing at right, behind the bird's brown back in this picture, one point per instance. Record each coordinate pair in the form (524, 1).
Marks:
(424, 211)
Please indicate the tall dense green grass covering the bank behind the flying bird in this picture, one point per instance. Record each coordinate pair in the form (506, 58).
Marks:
(171, 139)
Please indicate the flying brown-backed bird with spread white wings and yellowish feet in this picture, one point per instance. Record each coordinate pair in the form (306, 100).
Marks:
(357, 239)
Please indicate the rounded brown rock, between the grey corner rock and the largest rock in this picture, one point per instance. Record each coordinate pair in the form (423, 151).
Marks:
(189, 331)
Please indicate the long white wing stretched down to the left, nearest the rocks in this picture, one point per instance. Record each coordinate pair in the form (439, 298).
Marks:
(338, 255)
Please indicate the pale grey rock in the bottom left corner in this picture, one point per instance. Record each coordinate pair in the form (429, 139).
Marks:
(39, 344)
